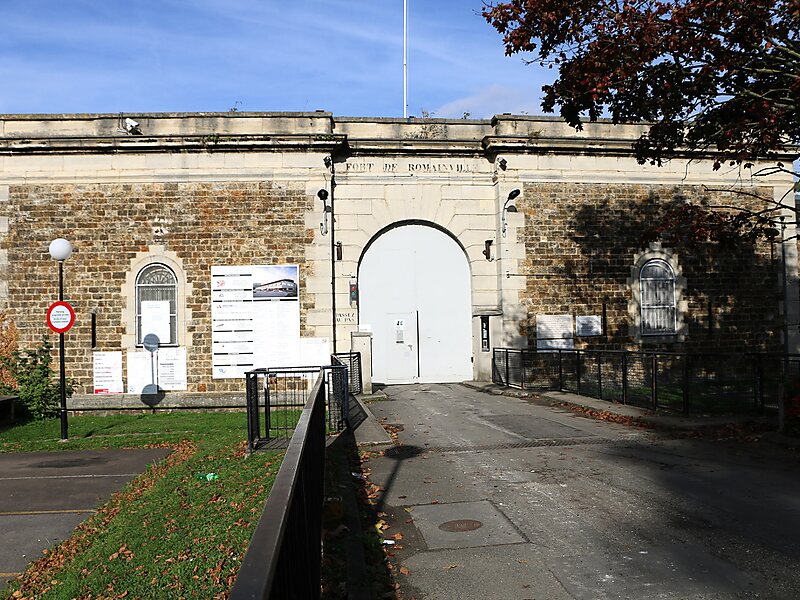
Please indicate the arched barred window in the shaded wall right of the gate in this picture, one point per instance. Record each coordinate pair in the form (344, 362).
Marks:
(657, 298)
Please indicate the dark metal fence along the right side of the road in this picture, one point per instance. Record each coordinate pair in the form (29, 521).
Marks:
(696, 383)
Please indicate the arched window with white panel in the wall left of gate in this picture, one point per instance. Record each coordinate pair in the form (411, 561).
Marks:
(157, 300)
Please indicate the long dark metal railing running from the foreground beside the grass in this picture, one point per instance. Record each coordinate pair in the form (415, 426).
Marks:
(284, 556)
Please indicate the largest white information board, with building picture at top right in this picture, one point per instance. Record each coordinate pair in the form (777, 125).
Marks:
(255, 318)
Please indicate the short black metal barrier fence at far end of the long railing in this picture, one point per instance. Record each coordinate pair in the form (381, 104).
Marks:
(275, 399)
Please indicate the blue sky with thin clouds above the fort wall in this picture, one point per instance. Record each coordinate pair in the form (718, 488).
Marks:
(344, 56)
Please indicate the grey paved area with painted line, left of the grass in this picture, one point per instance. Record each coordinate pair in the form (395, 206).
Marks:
(44, 495)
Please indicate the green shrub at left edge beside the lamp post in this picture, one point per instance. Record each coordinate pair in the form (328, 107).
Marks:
(36, 384)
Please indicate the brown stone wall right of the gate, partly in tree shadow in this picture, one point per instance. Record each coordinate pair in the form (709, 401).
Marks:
(581, 241)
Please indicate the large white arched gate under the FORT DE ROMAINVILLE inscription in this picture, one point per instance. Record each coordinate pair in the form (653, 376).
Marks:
(414, 293)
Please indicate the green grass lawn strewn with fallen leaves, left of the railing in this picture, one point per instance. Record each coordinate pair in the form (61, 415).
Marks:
(168, 534)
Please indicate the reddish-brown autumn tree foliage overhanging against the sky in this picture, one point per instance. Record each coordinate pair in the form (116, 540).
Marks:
(708, 75)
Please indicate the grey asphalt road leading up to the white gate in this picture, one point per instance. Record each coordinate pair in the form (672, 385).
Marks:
(500, 498)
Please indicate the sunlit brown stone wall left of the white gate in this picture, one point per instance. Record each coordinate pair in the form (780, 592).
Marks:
(110, 225)
